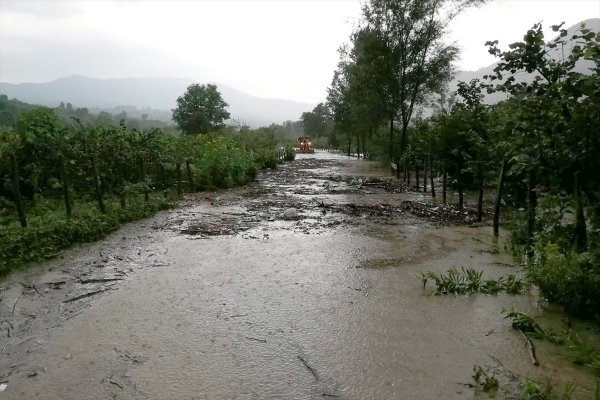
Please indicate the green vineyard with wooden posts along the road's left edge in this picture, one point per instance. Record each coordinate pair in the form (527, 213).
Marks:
(65, 182)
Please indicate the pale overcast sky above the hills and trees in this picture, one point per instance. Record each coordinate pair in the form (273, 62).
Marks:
(279, 49)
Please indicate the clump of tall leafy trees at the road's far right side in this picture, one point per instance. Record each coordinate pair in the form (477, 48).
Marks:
(397, 59)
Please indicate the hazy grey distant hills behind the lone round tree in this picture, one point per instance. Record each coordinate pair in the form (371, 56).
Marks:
(153, 96)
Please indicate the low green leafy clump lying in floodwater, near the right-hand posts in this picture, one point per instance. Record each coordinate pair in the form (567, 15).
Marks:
(469, 281)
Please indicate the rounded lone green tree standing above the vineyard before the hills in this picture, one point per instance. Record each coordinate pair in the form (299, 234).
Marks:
(200, 110)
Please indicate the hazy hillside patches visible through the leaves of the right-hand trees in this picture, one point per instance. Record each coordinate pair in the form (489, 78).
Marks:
(582, 66)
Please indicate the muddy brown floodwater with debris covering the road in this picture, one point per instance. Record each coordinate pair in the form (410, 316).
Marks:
(305, 285)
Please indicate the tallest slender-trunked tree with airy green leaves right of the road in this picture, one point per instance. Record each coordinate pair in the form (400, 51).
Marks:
(413, 31)
